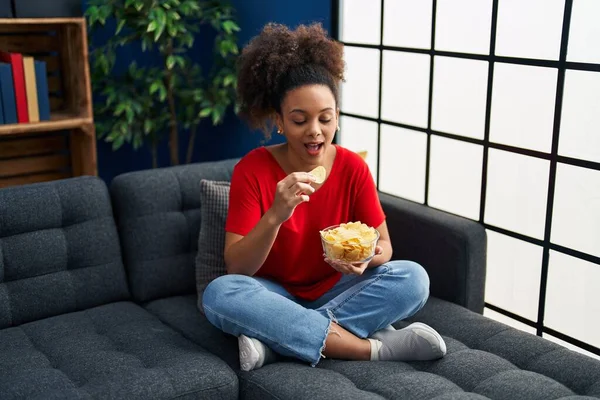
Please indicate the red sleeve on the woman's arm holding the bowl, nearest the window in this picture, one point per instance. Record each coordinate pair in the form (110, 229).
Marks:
(367, 207)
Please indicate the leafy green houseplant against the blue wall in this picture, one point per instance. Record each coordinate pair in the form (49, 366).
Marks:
(146, 103)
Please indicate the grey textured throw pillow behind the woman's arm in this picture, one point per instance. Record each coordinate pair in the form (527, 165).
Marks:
(210, 262)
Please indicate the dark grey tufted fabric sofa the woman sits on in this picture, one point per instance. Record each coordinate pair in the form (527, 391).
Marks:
(97, 300)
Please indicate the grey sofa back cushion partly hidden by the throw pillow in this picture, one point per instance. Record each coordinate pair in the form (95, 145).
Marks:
(158, 217)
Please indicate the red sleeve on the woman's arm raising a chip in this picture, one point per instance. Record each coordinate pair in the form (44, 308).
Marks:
(244, 201)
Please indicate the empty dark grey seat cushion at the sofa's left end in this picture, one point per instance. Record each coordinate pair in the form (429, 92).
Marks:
(112, 351)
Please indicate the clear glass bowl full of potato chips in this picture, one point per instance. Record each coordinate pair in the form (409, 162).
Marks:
(352, 242)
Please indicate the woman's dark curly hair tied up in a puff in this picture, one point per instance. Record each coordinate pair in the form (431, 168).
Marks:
(280, 59)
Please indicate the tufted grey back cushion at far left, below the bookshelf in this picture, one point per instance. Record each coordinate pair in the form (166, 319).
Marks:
(59, 250)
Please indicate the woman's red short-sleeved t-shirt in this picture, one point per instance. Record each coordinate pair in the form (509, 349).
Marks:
(296, 258)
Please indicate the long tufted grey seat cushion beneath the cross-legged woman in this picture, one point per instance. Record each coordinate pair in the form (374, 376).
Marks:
(485, 360)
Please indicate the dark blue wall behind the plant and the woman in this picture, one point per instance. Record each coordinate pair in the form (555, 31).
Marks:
(232, 138)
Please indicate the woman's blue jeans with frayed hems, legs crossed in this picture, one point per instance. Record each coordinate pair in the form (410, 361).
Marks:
(262, 309)
